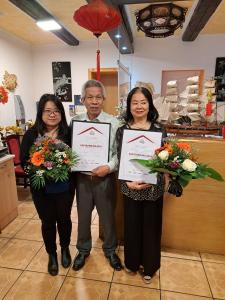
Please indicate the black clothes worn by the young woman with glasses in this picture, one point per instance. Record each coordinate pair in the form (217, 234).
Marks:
(53, 208)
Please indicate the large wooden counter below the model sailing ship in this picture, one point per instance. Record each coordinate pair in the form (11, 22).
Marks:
(196, 220)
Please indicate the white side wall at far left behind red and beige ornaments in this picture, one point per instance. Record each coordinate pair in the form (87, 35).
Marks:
(16, 58)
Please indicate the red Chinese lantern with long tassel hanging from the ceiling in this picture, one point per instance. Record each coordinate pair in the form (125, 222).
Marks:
(97, 17)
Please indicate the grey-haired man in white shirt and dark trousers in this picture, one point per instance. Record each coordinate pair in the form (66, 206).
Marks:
(97, 188)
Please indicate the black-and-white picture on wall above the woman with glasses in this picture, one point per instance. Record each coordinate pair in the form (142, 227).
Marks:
(62, 84)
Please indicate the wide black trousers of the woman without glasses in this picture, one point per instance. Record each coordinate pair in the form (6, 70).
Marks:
(142, 234)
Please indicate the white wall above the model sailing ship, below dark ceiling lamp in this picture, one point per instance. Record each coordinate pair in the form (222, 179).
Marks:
(154, 55)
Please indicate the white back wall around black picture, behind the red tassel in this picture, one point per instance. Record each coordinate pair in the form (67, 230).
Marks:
(82, 58)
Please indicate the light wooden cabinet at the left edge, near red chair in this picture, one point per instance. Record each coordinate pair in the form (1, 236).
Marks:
(8, 191)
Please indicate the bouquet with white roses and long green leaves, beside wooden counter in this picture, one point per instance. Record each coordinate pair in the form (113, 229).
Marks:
(177, 159)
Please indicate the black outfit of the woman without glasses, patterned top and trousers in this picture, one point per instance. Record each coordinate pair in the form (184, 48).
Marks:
(142, 220)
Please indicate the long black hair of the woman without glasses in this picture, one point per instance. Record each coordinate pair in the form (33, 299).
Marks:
(152, 114)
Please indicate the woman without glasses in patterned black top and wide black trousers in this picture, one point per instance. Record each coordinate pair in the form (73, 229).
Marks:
(143, 202)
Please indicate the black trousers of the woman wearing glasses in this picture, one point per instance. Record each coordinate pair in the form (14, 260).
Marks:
(54, 209)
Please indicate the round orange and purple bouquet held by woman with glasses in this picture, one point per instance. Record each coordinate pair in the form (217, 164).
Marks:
(50, 160)
